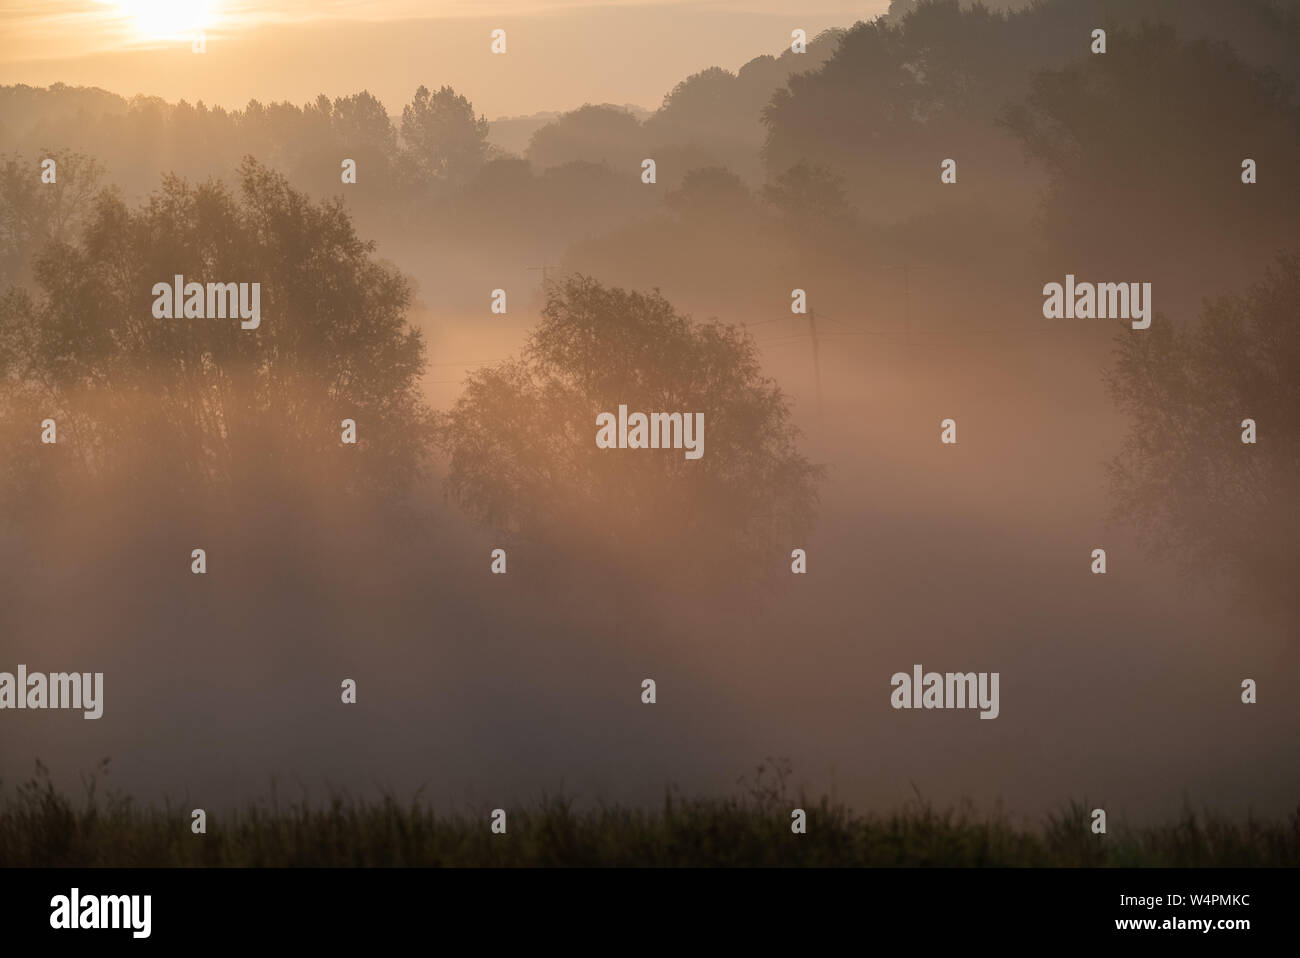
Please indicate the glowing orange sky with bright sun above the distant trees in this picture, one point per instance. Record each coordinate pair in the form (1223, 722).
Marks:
(561, 55)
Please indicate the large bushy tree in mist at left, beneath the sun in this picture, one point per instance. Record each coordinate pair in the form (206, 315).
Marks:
(189, 406)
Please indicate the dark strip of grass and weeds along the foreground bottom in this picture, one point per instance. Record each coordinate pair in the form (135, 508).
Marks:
(44, 827)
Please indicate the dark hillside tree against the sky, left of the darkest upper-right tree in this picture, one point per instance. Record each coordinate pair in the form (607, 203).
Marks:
(894, 101)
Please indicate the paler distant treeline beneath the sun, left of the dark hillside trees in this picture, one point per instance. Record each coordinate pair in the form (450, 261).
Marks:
(430, 163)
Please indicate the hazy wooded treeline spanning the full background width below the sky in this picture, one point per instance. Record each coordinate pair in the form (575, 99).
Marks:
(1061, 154)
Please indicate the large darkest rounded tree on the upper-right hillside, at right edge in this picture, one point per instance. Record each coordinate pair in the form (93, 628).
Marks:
(1194, 105)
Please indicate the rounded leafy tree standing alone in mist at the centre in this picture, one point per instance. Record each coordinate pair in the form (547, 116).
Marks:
(525, 460)
